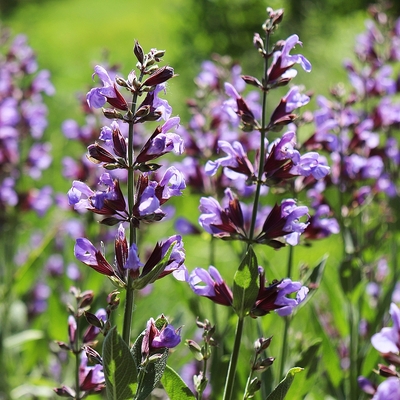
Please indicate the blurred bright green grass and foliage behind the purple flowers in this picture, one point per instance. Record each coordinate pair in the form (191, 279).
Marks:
(71, 36)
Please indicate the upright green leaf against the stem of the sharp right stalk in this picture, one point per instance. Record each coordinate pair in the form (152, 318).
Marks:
(246, 284)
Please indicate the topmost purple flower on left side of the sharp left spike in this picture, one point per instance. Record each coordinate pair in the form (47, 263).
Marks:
(97, 97)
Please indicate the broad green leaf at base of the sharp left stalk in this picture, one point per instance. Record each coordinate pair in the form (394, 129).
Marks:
(119, 368)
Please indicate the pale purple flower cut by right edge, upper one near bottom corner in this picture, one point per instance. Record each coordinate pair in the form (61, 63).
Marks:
(388, 339)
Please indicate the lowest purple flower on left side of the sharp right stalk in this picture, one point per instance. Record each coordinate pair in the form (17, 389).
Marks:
(210, 284)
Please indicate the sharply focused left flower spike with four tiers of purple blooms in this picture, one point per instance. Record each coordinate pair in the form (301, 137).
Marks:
(114, 151)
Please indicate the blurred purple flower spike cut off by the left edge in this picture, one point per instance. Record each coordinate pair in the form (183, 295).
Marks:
(23, 120)
